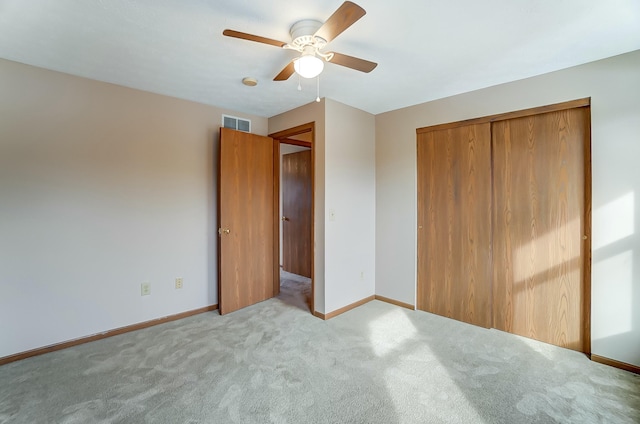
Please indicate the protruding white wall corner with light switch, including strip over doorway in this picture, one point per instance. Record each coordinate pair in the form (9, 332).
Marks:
(344, 182)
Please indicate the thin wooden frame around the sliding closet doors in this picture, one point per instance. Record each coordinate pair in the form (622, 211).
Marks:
(586, 275)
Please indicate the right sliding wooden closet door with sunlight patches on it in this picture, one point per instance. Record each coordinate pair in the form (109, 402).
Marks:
(538, 221)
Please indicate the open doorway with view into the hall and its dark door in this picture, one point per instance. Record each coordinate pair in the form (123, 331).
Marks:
(295, 185)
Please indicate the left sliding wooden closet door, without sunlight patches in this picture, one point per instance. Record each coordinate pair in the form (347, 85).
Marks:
(454, 223)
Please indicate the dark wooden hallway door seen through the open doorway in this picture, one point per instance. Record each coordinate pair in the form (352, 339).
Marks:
(296, 212)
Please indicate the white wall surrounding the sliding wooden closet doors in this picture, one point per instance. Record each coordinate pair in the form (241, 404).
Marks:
(614, 87)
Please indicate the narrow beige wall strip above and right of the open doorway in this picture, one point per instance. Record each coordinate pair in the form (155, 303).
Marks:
(312, 112)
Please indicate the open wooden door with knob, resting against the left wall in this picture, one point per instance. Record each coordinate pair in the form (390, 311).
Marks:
(246, 217)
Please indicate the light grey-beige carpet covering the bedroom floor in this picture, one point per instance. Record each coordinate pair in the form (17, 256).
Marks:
(276, 363)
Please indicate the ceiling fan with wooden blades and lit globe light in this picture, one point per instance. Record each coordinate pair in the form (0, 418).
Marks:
(309, 37)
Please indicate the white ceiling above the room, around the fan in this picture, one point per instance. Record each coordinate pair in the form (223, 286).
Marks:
(425, 49)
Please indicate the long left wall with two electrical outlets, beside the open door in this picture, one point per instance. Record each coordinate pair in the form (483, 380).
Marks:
(101, 188)
